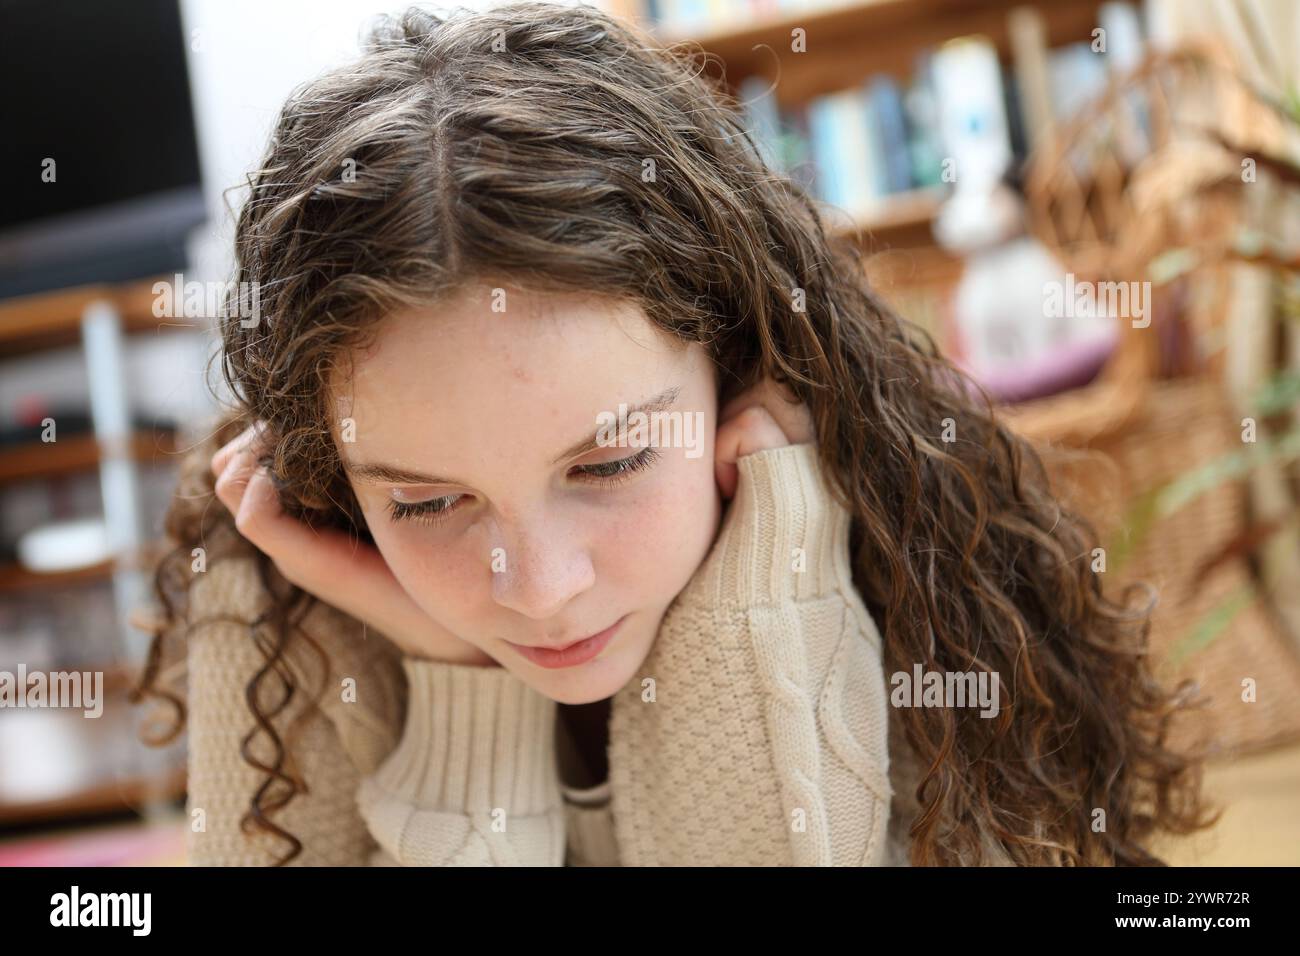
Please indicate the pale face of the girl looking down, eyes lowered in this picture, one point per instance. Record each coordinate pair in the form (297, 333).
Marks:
(505, 511)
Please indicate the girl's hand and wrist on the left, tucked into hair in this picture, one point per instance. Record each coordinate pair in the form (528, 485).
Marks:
(337, 569)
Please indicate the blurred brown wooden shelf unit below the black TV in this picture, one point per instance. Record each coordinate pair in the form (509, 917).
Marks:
(57, 767)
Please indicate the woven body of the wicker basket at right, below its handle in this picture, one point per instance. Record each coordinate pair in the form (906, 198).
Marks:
(1184, 425)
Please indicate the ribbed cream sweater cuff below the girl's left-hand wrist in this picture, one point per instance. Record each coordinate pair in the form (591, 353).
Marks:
(474, 780)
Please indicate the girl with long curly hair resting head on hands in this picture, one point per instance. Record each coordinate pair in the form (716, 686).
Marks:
(436, 611)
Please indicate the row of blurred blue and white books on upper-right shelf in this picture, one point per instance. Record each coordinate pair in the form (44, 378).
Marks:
(961, 114)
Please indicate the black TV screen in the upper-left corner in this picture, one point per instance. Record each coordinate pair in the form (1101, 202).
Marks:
(99, 148)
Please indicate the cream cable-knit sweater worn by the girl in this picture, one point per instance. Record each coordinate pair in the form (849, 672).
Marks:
(756, 733)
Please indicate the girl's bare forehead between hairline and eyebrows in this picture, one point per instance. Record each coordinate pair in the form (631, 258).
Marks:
(489, 373)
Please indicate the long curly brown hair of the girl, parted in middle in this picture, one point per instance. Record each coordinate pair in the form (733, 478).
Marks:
(517, 142)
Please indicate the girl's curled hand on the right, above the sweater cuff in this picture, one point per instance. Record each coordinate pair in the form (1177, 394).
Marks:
(765, 417)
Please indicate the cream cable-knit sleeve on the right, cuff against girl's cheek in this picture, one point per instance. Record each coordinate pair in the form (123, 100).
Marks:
(760, 717)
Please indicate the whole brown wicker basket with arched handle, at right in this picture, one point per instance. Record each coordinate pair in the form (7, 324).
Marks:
(1106, 201)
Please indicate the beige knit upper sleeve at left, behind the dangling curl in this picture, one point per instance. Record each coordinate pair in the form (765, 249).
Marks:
(328, 746)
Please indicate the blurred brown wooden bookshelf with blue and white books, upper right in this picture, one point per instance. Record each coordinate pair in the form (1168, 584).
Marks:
(840, 96)
